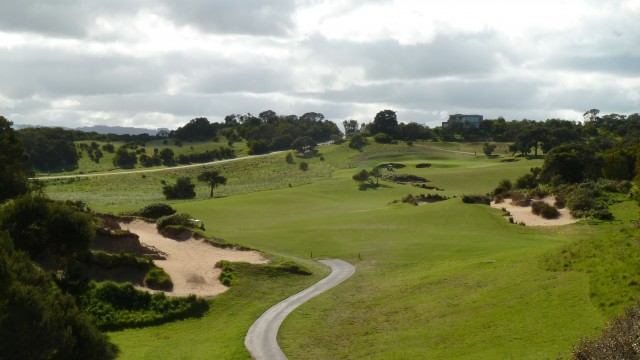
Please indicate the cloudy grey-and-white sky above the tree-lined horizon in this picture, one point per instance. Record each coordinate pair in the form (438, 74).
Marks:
(160, 63)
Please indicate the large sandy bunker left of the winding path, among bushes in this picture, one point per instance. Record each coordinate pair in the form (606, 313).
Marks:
(190, 263)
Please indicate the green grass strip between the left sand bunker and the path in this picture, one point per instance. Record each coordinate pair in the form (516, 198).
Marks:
(220, 333)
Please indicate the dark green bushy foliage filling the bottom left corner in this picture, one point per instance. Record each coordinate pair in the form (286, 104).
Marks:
(37, 320)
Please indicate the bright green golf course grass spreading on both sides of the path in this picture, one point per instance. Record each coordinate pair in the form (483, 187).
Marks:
(444, 280)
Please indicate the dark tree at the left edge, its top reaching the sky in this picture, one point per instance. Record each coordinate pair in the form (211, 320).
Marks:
(13, 172)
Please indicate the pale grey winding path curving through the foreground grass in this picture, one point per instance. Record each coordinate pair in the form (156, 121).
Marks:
(261, 340)
